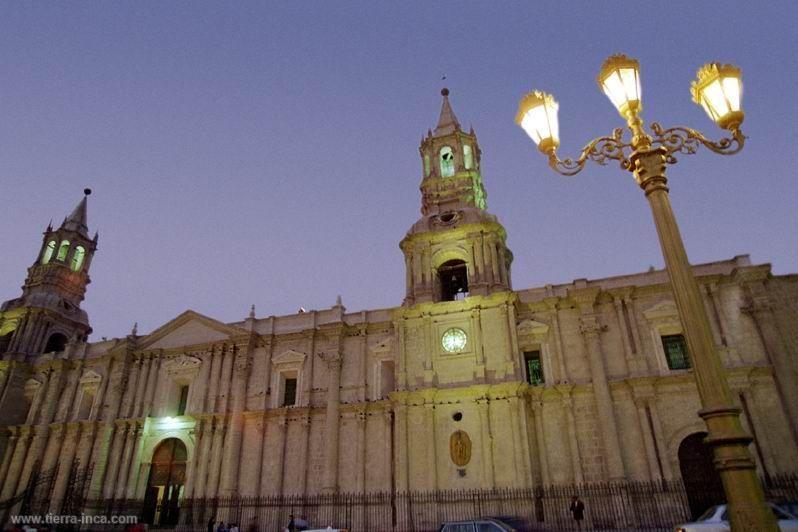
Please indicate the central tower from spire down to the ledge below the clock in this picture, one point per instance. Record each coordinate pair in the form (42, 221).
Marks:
(458, 307)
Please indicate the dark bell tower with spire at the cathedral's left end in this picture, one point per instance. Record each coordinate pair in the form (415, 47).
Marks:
(48, 315)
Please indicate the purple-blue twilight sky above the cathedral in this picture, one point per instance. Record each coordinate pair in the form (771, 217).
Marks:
(267, 153)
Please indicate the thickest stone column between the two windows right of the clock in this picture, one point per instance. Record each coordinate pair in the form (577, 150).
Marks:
(591, 330)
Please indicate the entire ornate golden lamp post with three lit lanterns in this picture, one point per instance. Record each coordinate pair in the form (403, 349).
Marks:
(718, 89)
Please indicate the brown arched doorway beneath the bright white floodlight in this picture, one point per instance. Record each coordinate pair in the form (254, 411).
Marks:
(165, 485)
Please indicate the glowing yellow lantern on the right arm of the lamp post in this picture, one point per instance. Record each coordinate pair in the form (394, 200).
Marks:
(718, 89)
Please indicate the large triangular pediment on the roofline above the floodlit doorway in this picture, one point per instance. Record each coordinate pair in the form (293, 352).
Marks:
(190, 328)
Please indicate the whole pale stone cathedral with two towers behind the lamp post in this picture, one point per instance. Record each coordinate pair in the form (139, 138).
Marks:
(466, 383)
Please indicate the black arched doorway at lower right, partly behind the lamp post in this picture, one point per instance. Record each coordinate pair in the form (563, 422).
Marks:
(701, 482)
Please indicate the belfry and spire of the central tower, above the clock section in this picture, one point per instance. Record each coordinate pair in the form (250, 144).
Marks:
(456, 248)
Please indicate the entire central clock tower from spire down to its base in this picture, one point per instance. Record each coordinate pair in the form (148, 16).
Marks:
(459, 377)
